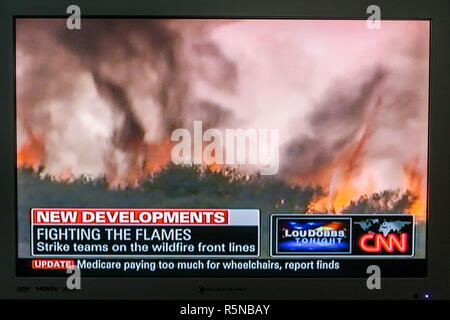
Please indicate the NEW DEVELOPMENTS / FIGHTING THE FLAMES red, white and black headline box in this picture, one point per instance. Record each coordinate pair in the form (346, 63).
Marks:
(74, 232)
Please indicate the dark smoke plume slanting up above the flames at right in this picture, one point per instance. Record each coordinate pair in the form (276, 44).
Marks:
(344, 115)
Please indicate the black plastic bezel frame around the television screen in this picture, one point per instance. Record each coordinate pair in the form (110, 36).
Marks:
(437, 282)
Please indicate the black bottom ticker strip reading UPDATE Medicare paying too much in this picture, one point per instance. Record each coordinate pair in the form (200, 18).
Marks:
(205, 267)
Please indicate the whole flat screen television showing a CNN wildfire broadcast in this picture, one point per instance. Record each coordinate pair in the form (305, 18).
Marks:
(210, 154)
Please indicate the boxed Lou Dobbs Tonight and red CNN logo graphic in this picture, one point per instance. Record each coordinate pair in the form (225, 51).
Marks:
(354, 235)
